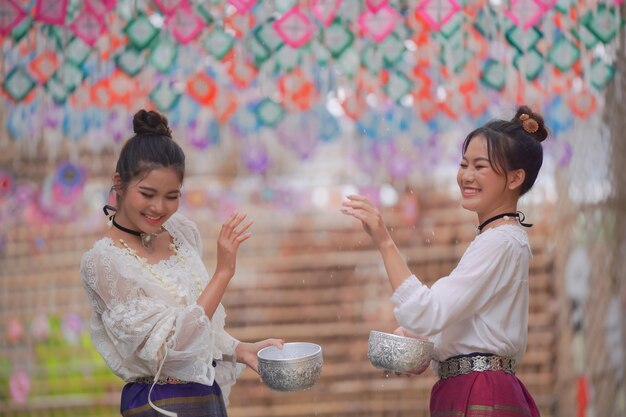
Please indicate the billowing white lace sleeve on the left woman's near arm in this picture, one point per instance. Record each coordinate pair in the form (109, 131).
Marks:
(135, 321)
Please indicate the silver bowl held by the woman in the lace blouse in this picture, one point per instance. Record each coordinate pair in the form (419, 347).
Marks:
(297, 366)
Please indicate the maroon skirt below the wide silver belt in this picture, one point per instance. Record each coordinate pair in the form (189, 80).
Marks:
(482, 394)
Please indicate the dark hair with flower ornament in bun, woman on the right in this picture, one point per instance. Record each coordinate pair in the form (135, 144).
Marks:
(514, 144)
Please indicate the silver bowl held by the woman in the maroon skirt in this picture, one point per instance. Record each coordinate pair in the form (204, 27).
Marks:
(398, 353)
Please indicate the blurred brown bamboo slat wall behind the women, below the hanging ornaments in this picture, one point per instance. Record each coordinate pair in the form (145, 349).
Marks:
(305, 277)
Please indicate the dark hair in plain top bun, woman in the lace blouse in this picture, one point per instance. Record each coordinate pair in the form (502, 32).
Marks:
(151, 147)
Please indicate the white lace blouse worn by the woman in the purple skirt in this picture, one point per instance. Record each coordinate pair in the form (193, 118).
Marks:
(137, 321)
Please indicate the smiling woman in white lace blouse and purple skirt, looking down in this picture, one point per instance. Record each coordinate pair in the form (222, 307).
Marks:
(158, 320)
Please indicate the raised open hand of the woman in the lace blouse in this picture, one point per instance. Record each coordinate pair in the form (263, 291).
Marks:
(232, 234)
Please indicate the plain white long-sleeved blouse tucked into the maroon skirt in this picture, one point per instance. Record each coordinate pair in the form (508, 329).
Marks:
(482, 306)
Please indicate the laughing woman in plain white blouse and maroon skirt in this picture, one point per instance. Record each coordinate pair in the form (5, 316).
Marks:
(477, 316)
